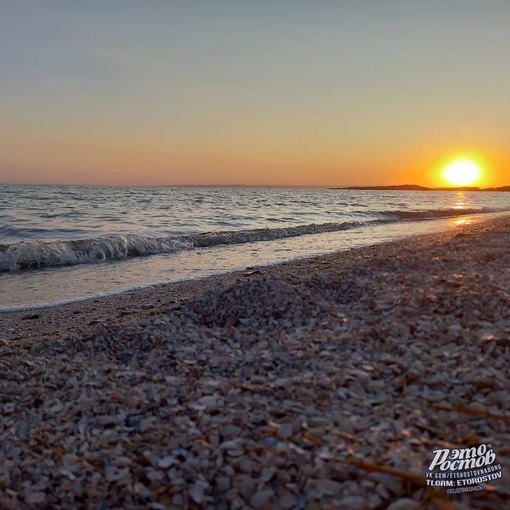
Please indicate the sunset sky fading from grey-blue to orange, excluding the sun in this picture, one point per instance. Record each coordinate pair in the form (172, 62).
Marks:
(268, 92)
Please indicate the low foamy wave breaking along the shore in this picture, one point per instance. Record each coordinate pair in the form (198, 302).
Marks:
(44, 254)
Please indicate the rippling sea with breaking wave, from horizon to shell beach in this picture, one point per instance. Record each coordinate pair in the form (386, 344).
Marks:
(61, 244)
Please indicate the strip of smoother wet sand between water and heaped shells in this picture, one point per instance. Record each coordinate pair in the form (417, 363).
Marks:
(142, 304)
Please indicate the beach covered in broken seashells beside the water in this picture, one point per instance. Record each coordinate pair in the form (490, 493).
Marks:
(319, 383)
